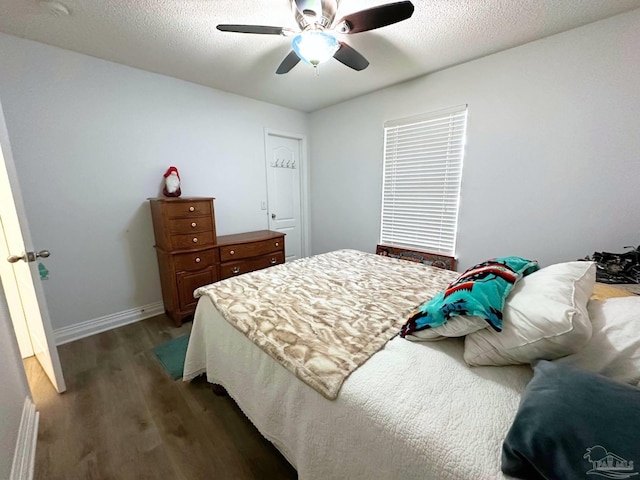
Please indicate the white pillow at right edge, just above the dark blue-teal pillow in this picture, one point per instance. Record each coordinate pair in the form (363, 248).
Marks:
(614, 348)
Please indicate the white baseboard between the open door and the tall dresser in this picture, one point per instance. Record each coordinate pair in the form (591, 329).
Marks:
(91, 327)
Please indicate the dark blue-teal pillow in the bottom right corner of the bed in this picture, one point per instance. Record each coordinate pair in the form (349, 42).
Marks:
(573, 424)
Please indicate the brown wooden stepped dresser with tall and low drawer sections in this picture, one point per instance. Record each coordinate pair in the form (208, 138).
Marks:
(190, 254)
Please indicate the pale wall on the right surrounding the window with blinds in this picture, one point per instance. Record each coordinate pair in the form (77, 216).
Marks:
(552, 162)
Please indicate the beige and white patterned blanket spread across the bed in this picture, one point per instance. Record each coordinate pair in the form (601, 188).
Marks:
(322, 317)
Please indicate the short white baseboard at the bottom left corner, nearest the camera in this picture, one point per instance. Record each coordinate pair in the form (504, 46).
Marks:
(25, 454)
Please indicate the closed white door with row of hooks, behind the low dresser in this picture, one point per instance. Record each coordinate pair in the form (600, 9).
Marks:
(284, 163)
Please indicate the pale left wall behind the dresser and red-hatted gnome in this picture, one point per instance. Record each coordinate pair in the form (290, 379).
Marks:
(91, 140)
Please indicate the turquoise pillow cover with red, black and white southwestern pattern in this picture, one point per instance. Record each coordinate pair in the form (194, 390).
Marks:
(480, 291)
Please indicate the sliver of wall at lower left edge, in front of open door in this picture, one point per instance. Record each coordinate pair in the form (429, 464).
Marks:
(13, 389)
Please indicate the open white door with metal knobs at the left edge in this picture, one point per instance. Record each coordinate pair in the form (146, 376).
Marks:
(23, 260)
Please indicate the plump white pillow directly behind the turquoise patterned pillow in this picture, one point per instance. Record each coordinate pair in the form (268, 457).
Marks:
(545, 317)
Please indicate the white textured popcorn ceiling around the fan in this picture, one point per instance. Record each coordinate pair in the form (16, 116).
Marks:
(178, 38)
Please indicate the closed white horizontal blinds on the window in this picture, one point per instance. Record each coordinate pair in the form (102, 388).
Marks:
(421, 180)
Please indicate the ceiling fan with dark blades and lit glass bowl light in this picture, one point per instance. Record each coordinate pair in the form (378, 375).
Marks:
(315, 41)
